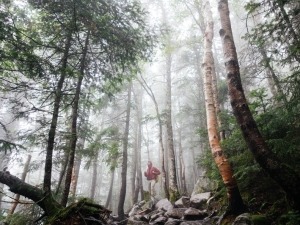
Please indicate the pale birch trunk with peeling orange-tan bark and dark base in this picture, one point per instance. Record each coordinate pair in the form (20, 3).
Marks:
(236, 204)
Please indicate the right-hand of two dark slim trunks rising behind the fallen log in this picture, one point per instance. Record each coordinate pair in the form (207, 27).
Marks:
(74, 124)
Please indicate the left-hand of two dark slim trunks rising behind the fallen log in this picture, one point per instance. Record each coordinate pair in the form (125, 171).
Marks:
(57, 100)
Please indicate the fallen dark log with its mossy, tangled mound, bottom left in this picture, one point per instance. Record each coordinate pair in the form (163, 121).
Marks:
(82, 212)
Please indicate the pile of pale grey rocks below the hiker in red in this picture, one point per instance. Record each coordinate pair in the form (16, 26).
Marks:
(185, 211)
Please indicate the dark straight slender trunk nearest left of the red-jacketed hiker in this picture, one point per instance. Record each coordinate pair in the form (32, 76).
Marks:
(125, 155)
